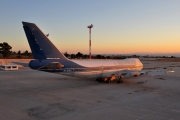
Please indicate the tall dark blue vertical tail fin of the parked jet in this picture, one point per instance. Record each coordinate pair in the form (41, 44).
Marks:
(40, 45)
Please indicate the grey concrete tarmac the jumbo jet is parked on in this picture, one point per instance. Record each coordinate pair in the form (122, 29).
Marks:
(34, 95)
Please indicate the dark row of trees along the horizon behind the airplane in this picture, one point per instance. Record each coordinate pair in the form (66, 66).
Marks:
(5, 52)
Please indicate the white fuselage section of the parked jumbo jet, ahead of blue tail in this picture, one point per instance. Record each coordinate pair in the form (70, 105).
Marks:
(104, 68)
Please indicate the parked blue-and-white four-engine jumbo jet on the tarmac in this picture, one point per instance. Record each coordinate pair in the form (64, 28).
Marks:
(48, 58)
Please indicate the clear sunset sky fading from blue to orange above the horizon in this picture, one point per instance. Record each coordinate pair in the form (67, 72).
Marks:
(120, 26)
